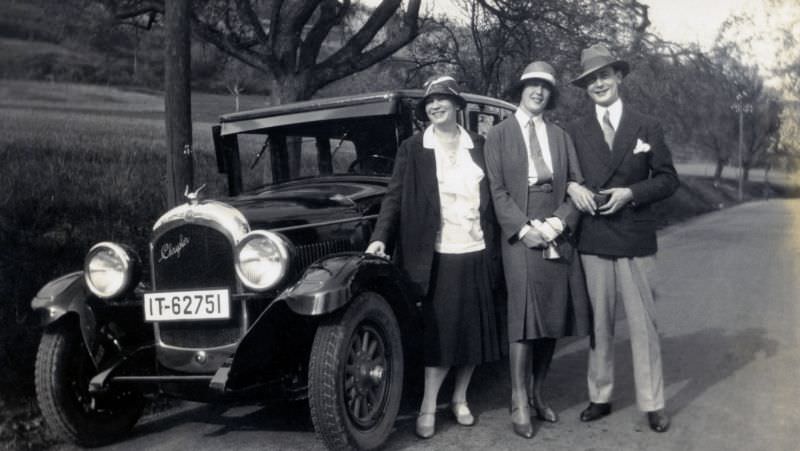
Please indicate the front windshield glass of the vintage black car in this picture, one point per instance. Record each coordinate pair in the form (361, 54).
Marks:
(350, 146)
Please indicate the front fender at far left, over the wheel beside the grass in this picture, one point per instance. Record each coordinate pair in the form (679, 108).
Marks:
(62, 296)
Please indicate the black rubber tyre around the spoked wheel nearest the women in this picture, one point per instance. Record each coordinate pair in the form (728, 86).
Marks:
(326, 392)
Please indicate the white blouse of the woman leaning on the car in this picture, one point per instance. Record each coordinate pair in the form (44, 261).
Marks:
(459, 196)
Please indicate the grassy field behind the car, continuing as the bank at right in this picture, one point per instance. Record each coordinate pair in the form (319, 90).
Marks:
(81, 164)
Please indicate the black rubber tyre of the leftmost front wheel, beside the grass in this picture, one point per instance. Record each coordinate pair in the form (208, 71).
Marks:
(60, 356)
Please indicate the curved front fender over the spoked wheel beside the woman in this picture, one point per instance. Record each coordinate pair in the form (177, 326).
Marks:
(327, 285)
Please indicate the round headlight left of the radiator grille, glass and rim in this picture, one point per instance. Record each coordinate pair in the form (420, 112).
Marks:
(110, 269)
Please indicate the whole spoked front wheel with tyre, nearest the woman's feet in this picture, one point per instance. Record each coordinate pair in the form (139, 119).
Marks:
(355, 376)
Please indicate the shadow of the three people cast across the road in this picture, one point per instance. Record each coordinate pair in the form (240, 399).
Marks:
(694, 362)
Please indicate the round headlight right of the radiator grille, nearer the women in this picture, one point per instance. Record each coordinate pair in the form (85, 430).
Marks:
(262, 260)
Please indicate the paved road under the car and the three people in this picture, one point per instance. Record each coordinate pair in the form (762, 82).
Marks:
(728, 313)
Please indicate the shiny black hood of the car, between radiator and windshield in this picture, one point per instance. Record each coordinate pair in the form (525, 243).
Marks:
(307, 202)
